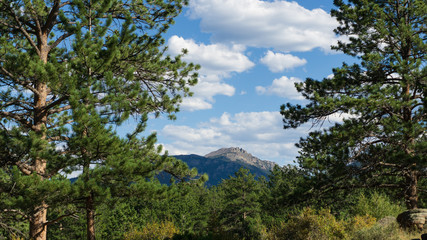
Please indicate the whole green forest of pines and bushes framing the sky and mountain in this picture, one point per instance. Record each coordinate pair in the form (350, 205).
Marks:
(70, 71)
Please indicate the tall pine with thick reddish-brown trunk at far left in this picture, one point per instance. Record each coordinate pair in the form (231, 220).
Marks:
(58, 56)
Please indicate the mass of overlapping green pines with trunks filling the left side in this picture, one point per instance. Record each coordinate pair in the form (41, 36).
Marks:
(87, 67)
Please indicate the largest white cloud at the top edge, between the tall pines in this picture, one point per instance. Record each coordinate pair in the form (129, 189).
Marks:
(283, 25)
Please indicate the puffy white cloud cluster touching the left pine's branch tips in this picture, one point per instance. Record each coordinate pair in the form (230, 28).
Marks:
(218, 61)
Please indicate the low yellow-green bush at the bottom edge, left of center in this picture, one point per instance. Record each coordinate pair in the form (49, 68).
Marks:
(153, 231)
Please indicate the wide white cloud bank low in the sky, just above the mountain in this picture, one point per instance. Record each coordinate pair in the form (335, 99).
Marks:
(260, 133)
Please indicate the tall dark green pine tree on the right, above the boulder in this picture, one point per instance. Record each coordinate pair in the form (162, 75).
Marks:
(383, 143)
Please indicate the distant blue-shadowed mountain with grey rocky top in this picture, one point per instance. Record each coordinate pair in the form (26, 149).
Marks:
(223, 163)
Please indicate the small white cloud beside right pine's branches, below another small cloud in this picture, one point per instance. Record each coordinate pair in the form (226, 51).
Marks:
(282, 87)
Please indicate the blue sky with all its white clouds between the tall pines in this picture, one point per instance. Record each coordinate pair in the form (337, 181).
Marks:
(251, 53)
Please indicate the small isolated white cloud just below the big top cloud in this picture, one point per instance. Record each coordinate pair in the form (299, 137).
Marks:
(277, 62)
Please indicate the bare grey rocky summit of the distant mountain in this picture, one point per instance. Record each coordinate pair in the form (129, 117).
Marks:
(240, 155)
